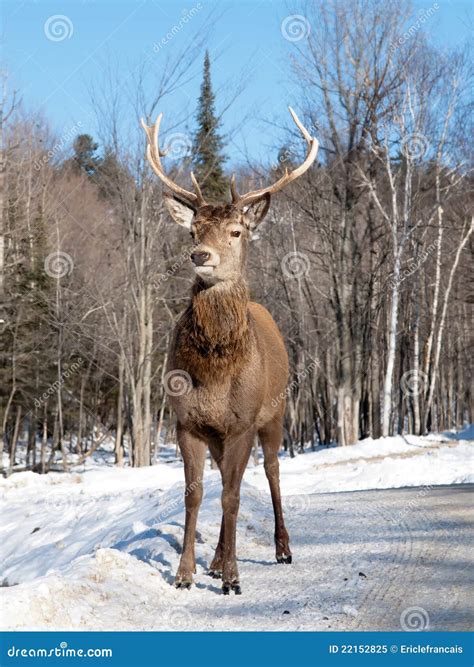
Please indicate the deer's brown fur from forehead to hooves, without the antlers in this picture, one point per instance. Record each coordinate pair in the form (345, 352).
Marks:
(235, 356)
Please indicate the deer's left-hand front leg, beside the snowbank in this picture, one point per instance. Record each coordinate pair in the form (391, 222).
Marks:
(193, 450)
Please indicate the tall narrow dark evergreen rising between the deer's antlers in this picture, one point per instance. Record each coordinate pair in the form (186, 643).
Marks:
(208, 157)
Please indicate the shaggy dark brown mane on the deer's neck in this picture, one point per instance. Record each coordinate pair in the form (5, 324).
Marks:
(216, 333)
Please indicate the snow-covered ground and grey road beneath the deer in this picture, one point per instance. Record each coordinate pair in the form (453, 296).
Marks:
(98, 549)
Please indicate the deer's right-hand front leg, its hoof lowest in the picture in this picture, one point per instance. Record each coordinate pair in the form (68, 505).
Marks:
(236, 455)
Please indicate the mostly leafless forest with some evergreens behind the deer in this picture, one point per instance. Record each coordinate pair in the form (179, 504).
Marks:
(363, 262)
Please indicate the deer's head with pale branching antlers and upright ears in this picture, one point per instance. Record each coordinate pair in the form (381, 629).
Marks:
(221, 233)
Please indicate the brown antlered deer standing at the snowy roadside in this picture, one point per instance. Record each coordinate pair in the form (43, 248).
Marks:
(229, 358)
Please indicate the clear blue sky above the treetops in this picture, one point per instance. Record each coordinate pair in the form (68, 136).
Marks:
(54, 76)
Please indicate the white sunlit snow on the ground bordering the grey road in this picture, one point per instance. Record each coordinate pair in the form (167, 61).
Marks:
(97, 548)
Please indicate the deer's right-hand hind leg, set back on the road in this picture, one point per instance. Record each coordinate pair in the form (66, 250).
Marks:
(270, 438)
